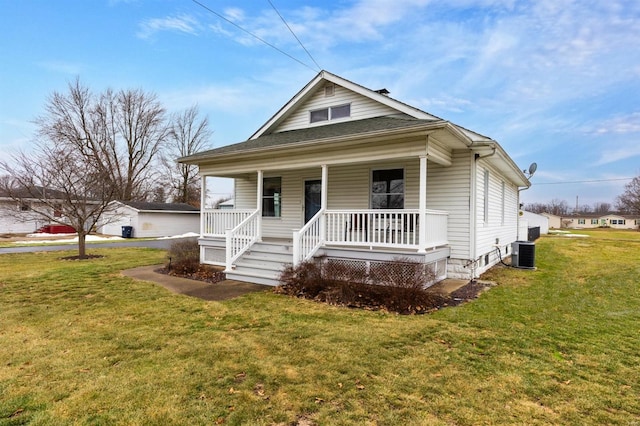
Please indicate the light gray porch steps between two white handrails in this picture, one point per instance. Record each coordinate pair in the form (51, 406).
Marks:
(263, 263)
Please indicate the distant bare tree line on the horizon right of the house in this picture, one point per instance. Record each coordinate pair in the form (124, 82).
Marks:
(626, 203)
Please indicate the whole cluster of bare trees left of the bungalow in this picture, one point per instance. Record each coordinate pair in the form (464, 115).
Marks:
(94, 148)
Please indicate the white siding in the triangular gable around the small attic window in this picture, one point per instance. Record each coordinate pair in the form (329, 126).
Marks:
(361, 108)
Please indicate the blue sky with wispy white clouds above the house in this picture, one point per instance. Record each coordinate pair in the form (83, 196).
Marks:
(554, 81)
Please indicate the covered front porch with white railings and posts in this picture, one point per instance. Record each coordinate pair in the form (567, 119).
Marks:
(331, 222)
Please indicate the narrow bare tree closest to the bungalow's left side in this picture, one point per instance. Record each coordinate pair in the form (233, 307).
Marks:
(188, 134)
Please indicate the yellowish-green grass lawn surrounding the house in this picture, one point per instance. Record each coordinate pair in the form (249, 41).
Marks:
(81, 344)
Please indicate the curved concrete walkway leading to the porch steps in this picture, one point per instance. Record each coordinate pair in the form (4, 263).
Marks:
(224, 290)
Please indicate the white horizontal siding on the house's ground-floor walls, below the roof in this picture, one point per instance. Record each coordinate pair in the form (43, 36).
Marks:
(350, 186)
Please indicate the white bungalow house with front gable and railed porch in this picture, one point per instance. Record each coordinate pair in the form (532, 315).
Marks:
(346, 173)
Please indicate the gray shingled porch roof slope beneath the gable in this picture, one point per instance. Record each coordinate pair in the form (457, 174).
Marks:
(348, 128)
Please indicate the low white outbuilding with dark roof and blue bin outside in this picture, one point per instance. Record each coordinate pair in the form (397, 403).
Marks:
(150, 219)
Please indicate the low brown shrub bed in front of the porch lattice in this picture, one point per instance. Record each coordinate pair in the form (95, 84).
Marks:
(396, 286)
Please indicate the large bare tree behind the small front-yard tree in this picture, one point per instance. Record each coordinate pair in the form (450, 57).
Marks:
(120, 134)
